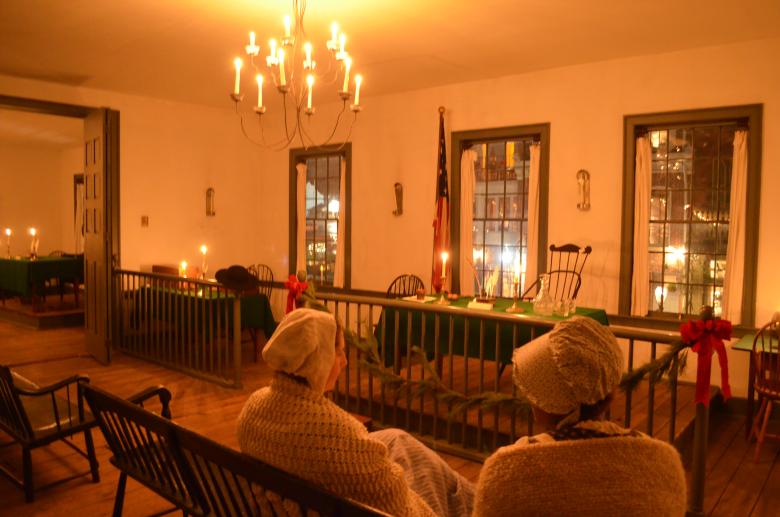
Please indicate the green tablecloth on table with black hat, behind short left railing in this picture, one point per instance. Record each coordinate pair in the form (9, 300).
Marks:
(189, 307)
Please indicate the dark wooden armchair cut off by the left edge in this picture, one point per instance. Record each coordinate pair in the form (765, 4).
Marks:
(35, 416)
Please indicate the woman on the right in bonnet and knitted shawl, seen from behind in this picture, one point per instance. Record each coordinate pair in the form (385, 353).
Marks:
(583, 465)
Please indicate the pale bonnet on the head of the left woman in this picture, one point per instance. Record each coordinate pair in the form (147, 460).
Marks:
(304, 344)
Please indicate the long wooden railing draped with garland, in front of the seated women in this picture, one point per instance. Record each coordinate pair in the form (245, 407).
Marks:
(489, 337)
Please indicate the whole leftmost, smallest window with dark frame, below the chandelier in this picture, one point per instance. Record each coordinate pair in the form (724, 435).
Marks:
(323, 212)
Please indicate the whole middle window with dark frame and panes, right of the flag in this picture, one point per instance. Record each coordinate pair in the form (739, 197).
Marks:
(500, 203)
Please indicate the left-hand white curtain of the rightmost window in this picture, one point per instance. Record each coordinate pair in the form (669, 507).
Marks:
(640, 280)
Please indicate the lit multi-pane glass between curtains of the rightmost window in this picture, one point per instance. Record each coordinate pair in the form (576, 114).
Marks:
(689, 216)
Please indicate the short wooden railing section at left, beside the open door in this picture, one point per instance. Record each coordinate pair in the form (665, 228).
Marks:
(188, 325)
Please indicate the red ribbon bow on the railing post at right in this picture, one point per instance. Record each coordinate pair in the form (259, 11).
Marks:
(706, 336)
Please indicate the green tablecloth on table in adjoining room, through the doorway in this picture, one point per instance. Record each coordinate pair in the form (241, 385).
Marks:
(21, 276)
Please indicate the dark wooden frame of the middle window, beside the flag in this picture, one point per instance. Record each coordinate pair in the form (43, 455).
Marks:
(461, 140)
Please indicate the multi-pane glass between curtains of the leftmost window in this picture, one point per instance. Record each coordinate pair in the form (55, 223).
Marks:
(322, 215)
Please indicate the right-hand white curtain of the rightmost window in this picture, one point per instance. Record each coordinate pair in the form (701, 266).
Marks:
(735, 254)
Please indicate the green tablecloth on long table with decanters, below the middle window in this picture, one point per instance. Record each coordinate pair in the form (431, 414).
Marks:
(385, 331)
